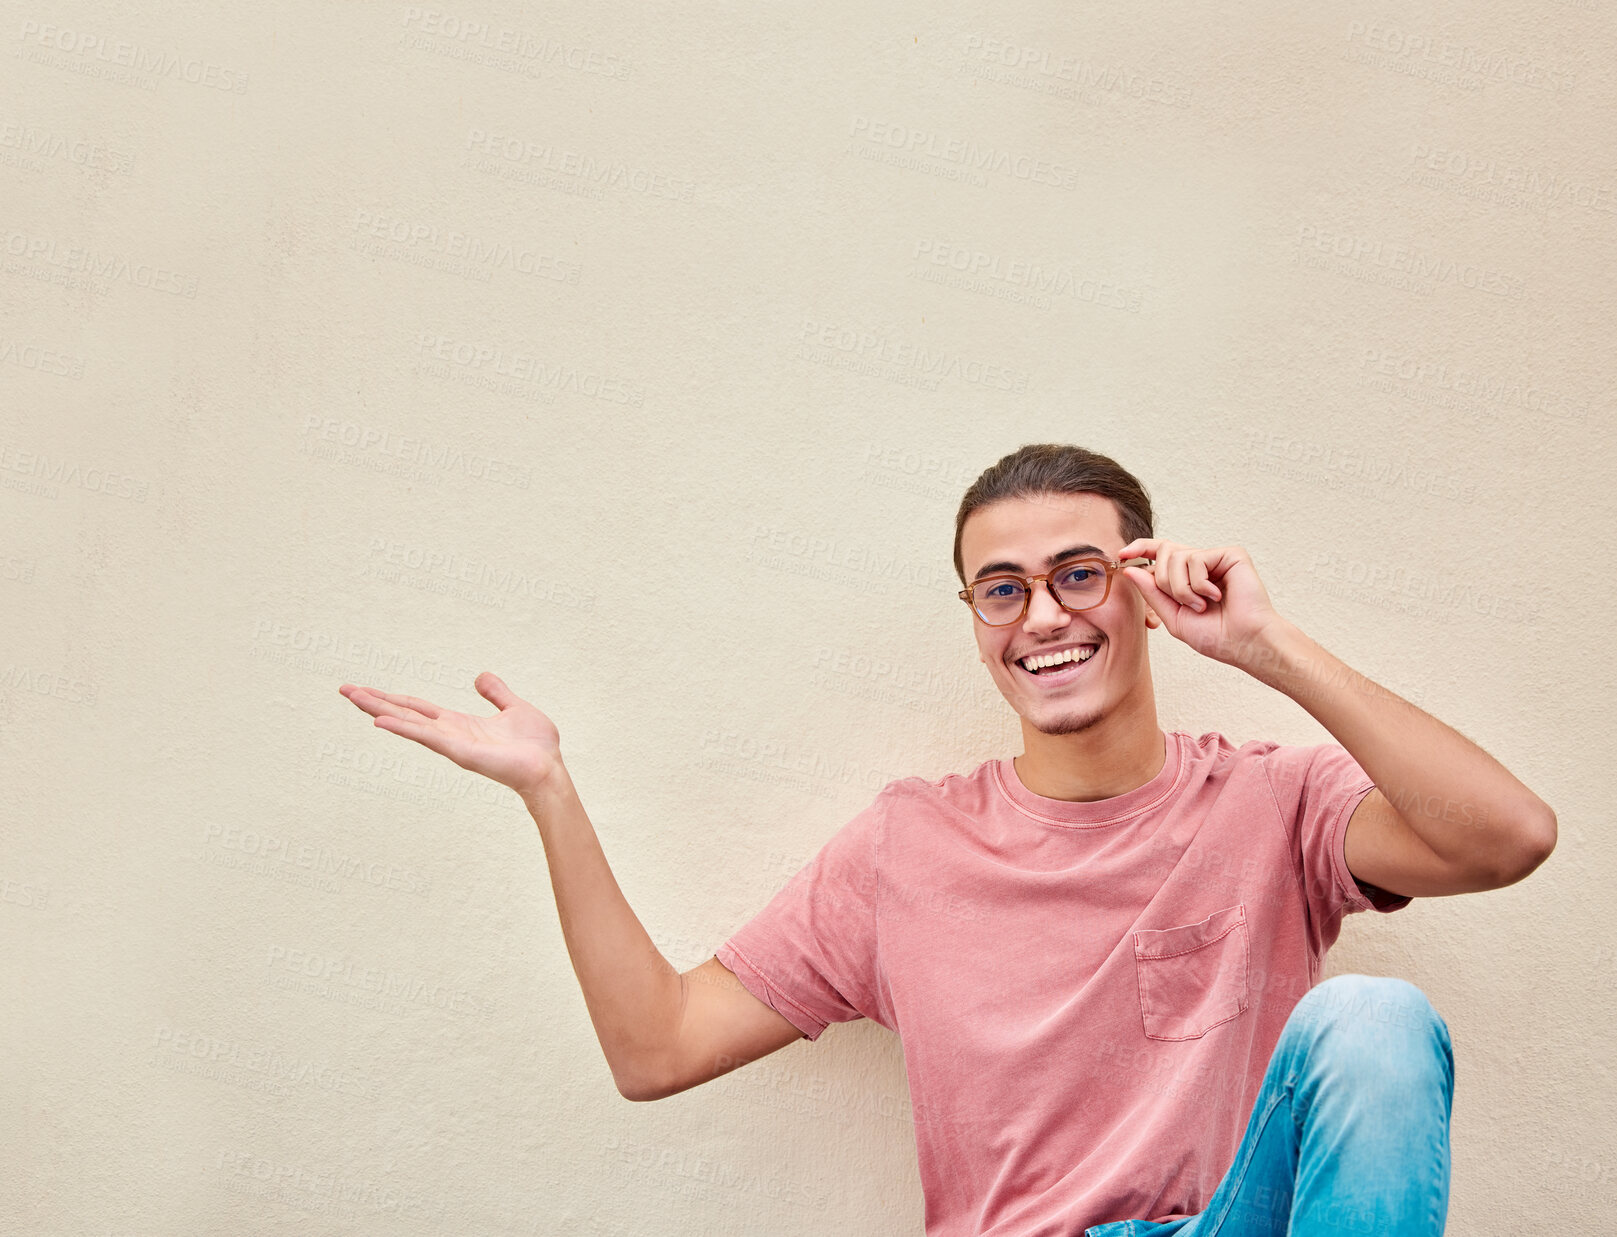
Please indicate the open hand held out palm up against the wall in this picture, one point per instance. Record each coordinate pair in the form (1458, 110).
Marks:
(518, 748)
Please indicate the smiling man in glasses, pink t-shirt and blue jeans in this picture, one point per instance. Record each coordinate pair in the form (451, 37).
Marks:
(1102, 956)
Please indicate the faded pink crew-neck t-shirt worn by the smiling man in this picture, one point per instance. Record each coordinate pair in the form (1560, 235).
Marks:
(1087, 995)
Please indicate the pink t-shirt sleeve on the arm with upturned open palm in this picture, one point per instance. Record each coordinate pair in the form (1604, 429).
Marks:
(811, 953)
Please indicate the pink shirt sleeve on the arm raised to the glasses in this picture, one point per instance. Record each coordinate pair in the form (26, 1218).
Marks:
(1317, 790)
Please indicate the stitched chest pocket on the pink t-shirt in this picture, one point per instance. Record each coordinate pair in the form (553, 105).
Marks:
(1193, 977)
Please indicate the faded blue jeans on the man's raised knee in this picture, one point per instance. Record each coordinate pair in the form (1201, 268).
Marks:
(1351, 1129)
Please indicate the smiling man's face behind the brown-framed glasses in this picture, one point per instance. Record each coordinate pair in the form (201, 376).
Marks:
(1026, 536)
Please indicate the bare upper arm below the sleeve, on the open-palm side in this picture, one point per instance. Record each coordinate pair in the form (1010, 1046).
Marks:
(722, 1028)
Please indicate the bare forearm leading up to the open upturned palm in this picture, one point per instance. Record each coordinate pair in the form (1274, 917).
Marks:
(631, 990)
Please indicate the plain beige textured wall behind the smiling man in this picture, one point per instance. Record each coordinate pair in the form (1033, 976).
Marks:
(389, 345)
